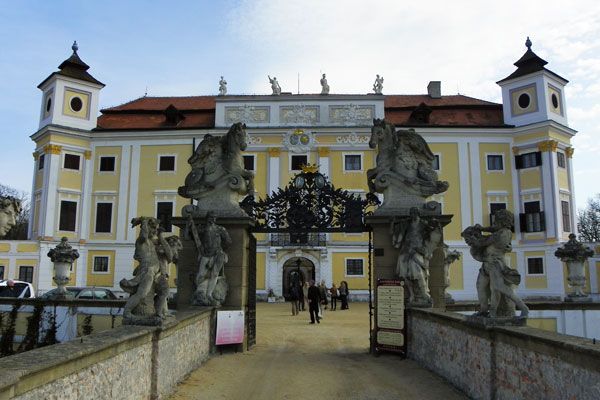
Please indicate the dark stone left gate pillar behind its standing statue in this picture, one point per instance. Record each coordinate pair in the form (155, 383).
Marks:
(236, 269)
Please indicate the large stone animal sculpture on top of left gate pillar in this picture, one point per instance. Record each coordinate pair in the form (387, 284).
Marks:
(218, 176)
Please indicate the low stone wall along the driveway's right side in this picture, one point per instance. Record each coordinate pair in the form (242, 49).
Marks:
(504, 362)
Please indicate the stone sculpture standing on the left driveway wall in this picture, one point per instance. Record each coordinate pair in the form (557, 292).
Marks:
(149, 289)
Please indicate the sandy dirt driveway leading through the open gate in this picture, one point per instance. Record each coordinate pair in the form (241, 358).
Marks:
(295, 360)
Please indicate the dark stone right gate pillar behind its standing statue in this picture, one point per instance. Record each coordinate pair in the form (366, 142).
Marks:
(385, 257)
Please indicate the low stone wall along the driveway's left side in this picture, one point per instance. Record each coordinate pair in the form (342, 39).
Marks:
(129, 362)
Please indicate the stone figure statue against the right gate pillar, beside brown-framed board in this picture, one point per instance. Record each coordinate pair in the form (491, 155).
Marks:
(417, 239)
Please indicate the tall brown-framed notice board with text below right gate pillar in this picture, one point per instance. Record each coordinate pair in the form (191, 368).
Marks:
(390, 322)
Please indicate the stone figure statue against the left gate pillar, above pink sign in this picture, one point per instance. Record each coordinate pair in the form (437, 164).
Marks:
(211, 242)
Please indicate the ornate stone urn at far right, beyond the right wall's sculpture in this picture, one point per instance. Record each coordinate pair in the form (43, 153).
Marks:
(575, 254)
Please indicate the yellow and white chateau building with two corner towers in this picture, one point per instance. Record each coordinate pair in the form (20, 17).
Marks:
(94, 173)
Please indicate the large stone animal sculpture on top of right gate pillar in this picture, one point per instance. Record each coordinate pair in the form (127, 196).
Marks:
(404, 167)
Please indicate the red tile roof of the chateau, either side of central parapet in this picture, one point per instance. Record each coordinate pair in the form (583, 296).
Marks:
(148, 113)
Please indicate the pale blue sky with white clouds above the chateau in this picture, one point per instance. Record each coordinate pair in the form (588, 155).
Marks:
(179, 48)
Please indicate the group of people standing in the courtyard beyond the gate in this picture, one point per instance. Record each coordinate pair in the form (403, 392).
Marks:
(317, 297)
